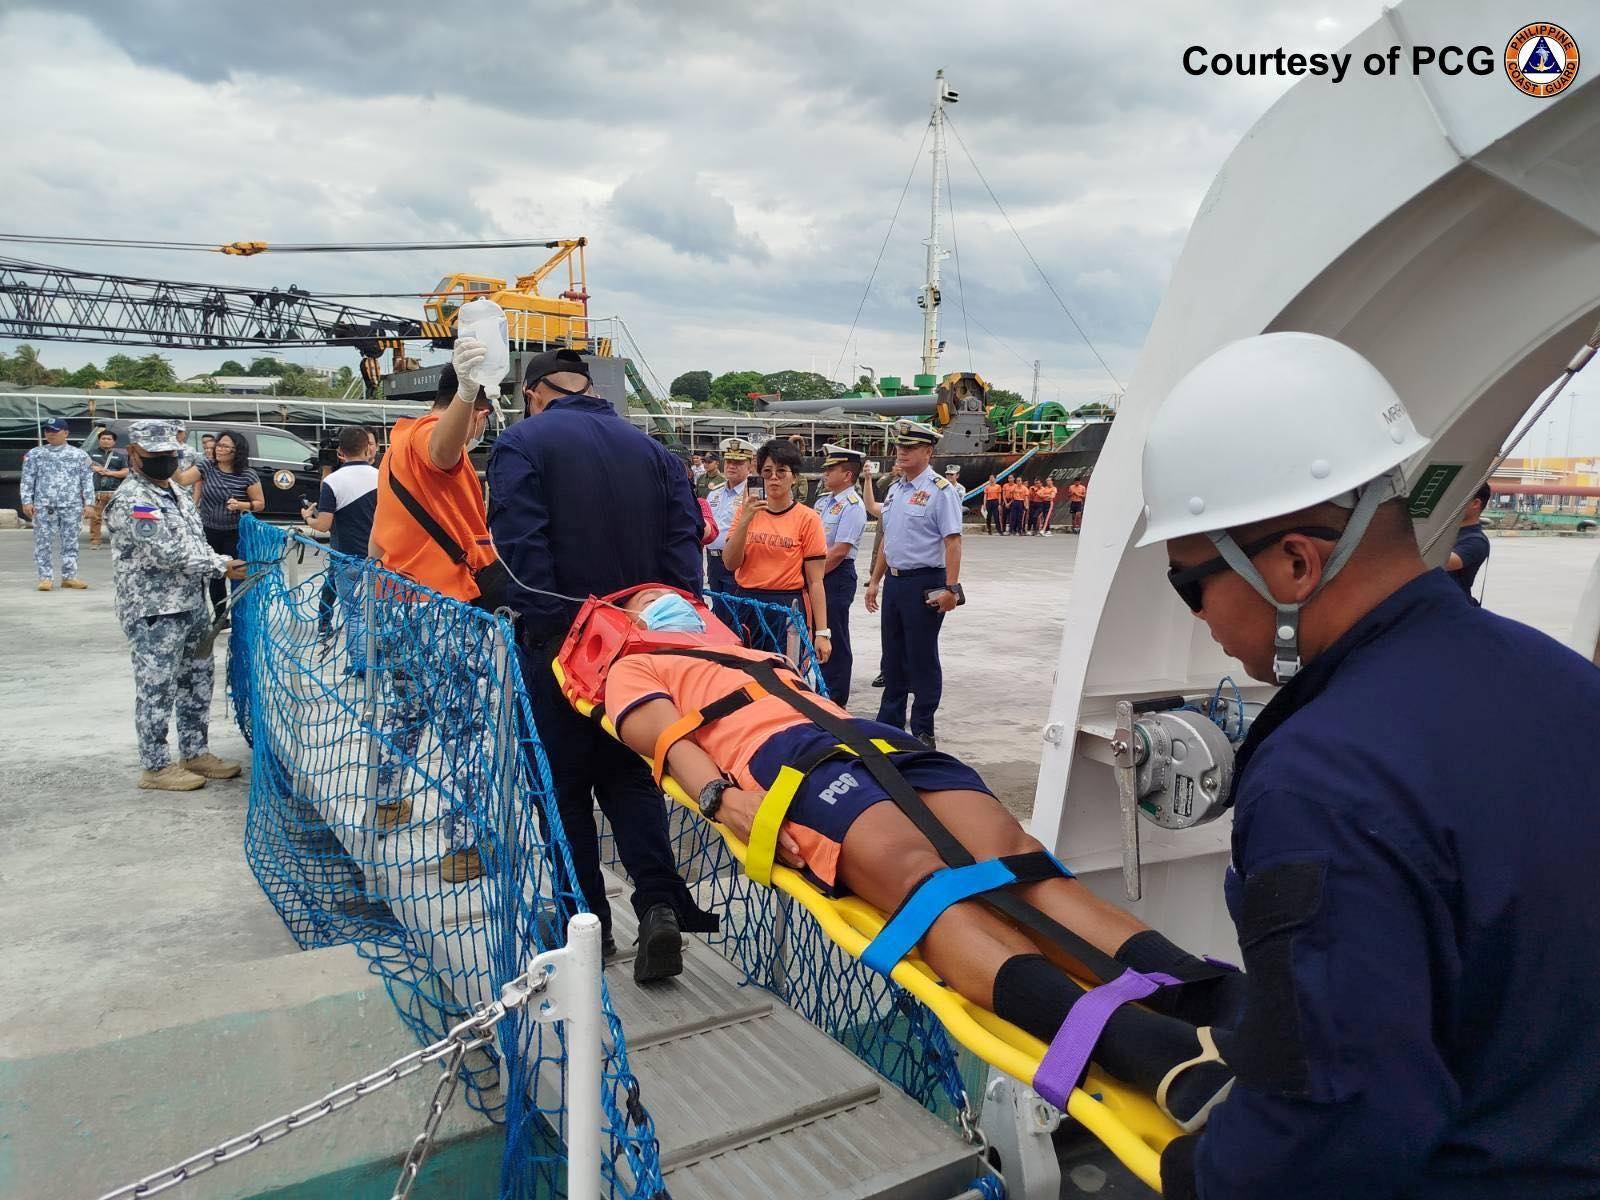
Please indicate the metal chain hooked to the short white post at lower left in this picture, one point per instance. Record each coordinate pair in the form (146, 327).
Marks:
(470, 1034)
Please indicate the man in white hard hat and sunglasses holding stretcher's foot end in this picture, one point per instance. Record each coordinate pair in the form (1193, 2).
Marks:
(1417, 914)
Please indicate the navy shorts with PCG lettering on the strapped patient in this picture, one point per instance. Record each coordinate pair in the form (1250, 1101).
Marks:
(842, 790)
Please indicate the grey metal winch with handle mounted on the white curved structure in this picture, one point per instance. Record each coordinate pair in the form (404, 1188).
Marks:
(1175, 769)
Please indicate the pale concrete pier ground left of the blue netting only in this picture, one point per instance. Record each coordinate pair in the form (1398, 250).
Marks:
(151, 1002)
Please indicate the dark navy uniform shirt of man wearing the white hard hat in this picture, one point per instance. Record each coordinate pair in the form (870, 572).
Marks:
(1418, 902)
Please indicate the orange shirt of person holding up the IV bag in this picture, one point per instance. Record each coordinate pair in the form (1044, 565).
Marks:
(454, 498)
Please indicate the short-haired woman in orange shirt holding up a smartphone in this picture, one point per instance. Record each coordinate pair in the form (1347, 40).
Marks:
(777, 546)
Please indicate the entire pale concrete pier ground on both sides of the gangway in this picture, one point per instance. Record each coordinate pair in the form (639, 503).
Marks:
(126, 914)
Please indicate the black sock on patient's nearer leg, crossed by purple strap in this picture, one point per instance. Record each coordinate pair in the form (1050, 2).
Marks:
(1137, 1046)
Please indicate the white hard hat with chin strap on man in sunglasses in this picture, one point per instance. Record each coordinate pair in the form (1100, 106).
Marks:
(1268, 426)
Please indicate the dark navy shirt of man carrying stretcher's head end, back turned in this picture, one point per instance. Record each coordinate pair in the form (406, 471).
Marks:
(583, 505)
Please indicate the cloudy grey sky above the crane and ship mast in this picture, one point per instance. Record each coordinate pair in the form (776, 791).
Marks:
(735, 166)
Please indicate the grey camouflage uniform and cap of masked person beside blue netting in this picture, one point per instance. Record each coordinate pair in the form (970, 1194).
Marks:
(161, 562)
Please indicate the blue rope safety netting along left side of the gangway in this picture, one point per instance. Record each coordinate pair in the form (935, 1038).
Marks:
(391, 734)
